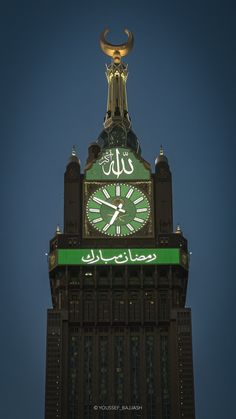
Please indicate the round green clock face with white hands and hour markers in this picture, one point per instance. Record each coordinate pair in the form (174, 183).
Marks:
(118, 209)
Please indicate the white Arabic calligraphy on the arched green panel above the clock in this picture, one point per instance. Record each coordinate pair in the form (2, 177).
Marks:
(113, 163)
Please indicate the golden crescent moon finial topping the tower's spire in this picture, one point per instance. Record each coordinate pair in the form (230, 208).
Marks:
(116, 51)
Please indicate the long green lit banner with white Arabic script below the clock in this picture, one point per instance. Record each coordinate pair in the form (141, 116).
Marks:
(117, 257)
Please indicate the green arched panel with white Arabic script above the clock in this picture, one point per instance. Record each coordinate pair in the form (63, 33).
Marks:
(118, 164)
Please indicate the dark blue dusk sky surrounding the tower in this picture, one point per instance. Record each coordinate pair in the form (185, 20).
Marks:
(181, 93)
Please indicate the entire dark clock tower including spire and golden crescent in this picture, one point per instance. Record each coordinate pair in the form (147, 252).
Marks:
(119, 339)
